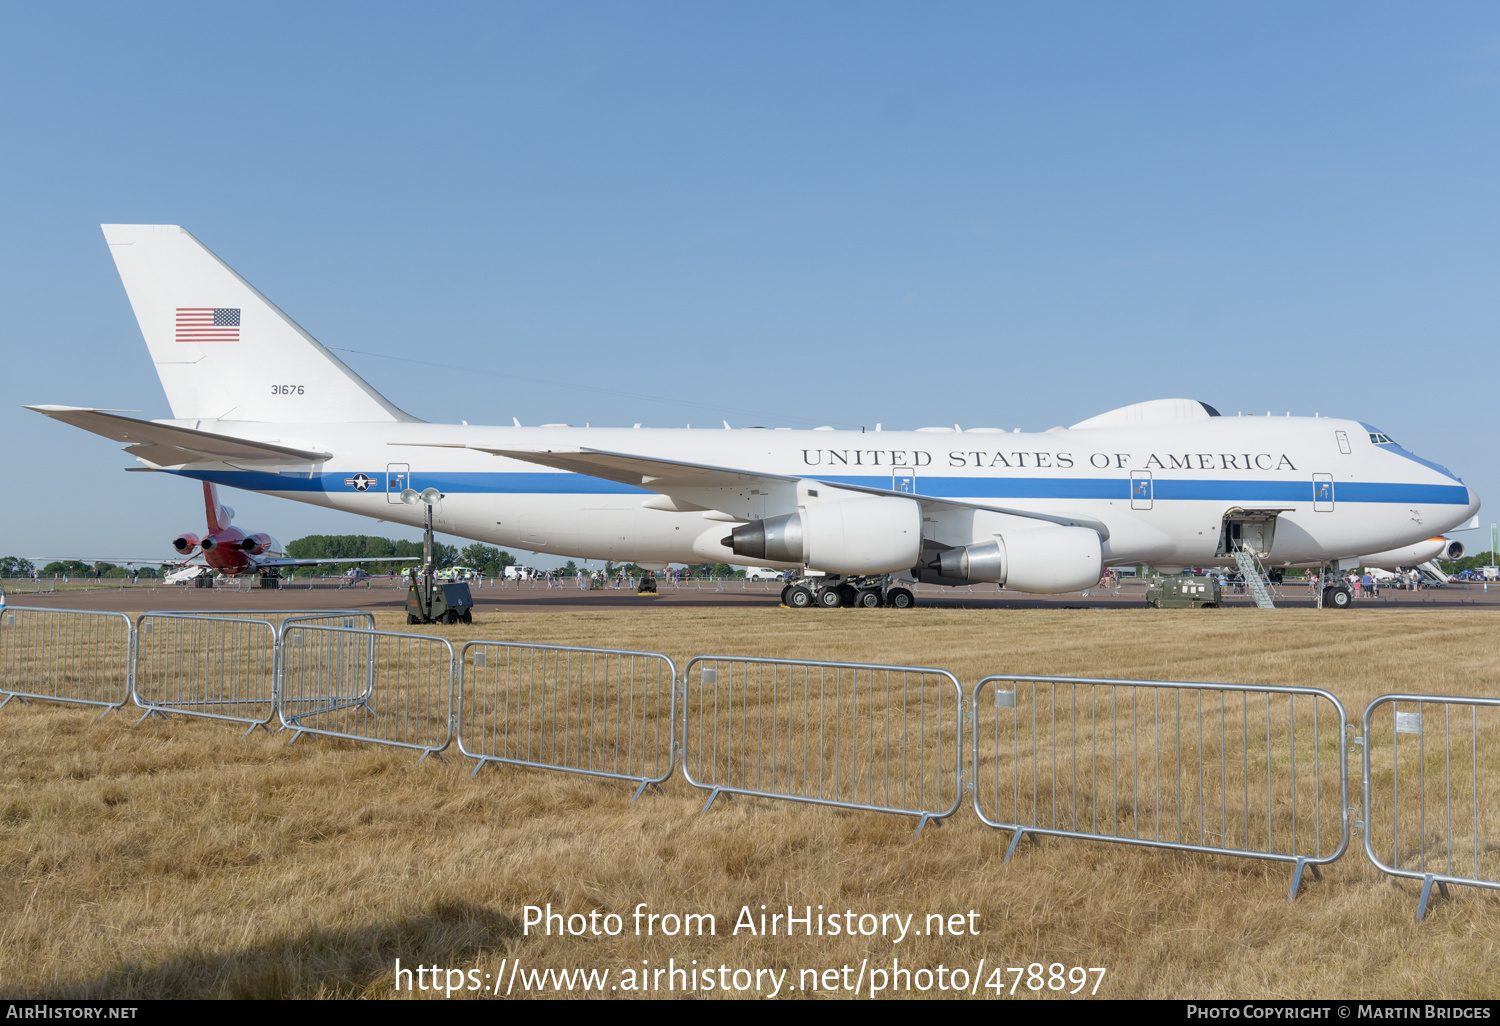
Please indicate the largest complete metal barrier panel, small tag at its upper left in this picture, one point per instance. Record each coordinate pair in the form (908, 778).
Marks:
(1220, 769)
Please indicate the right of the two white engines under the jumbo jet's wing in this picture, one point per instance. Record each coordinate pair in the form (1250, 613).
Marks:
(1046, 560)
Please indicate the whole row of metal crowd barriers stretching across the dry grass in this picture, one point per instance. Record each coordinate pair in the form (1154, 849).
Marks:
(1219, 769)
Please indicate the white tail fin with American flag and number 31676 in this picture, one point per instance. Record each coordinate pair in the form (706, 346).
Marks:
(221, 349)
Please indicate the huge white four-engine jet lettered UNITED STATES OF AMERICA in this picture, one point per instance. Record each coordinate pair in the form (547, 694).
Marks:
(259, 404)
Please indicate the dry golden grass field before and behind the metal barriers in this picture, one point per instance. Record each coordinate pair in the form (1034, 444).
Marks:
(178, 859)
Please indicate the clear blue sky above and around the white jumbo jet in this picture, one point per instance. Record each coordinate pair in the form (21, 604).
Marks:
(803, 214)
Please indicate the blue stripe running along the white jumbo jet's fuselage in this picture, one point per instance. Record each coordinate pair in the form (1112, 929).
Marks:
(965, 488)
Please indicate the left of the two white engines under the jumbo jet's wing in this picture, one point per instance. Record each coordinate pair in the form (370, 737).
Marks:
(845, 536)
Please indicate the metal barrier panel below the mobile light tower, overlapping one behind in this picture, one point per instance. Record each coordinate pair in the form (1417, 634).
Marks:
(374, 686)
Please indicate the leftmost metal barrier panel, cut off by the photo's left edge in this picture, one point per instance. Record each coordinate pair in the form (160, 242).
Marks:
(67, 656)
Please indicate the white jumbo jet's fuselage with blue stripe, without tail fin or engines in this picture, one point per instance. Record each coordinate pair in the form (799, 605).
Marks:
(1162, 491)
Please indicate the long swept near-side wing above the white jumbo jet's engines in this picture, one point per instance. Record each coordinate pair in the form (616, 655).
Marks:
(664, 476)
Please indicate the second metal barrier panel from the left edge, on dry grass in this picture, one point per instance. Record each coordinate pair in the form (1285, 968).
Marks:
(223, 668)
